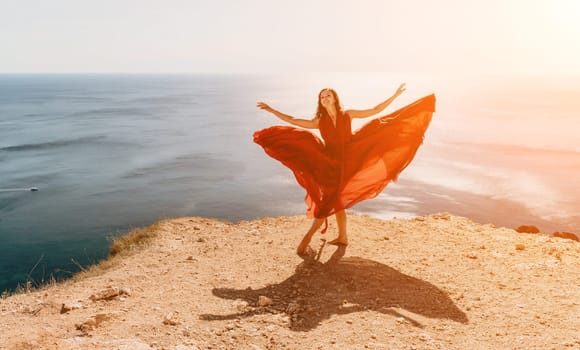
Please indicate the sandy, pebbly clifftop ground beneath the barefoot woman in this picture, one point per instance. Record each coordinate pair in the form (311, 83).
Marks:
(434, 282)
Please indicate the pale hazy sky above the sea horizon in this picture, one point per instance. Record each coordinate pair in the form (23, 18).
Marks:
(445, 36)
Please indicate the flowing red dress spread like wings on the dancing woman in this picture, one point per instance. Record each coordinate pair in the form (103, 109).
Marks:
(348, 167)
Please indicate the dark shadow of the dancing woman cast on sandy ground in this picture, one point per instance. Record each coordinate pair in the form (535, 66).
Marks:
(342, 286)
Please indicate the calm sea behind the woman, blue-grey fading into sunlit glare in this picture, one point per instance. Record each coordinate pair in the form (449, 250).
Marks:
(88, 157)
